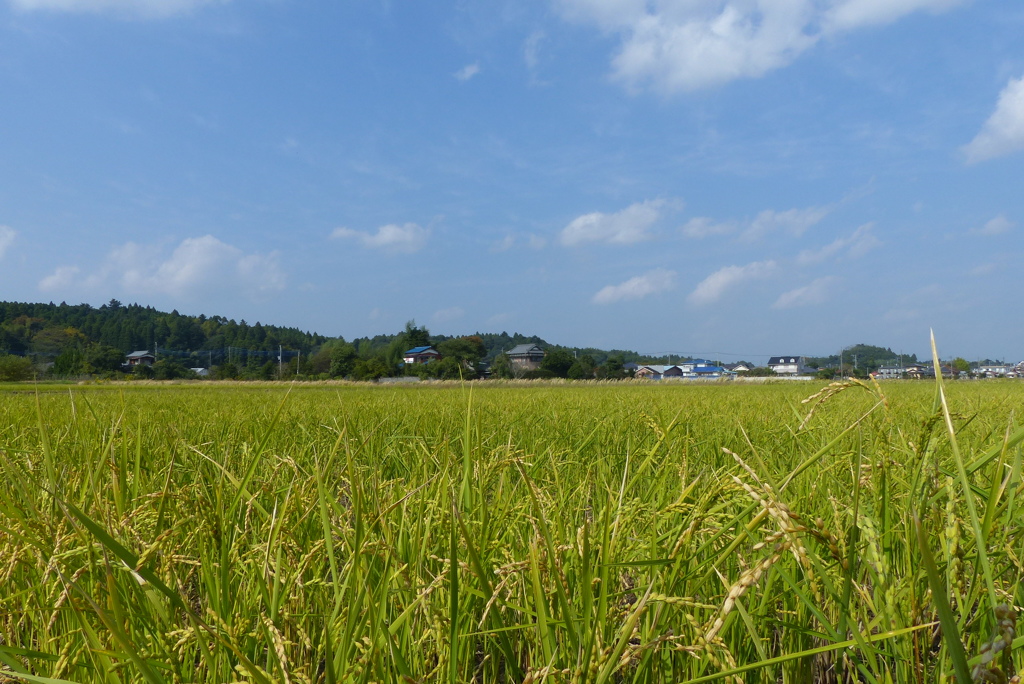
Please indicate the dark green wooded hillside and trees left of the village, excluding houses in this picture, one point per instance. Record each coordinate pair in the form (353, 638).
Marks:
(65, 340)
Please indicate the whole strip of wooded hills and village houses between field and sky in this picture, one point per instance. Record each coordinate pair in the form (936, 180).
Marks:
(76, 343)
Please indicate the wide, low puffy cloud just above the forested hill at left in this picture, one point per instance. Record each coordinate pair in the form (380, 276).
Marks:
(196, 267)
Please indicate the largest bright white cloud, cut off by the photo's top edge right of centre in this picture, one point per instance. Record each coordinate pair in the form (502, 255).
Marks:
(673, 46)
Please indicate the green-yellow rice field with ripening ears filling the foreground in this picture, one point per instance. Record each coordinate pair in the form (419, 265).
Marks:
(578, 533)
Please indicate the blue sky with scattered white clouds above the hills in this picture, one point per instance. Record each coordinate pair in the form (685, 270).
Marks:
(730, 178)
